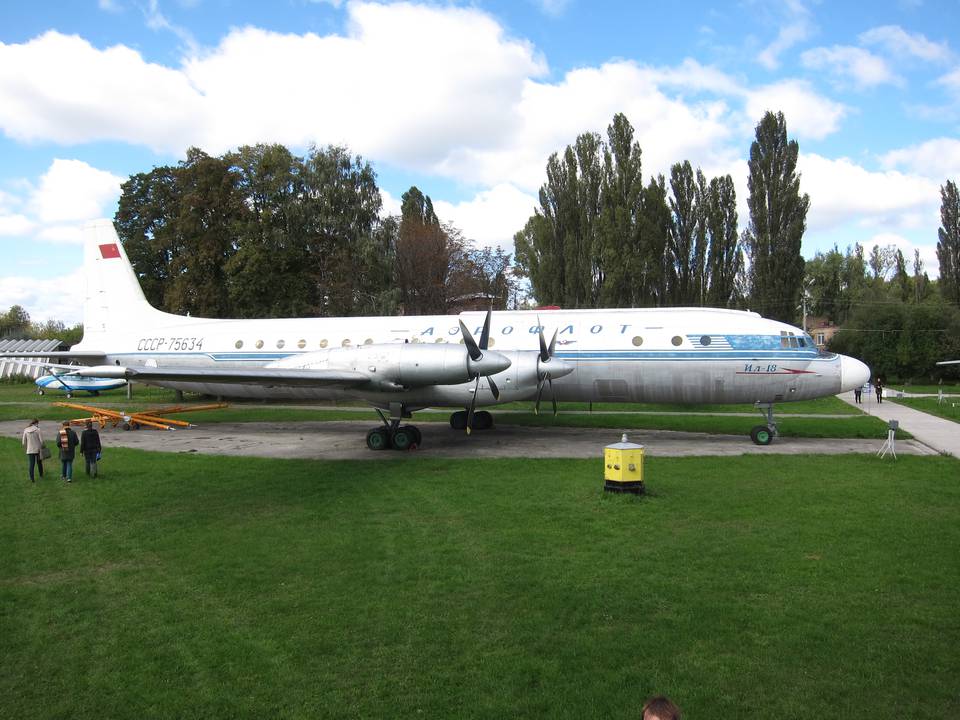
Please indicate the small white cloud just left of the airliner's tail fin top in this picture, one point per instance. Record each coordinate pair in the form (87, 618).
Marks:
(72, 191)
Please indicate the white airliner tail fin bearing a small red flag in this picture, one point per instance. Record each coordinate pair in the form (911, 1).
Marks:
(114, 300)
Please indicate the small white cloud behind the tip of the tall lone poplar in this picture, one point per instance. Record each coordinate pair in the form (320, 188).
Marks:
(808, 113)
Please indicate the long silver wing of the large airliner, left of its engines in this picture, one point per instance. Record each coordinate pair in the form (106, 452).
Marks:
(270, 377)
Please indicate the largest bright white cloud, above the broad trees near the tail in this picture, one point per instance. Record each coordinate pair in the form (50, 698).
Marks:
(432, 79)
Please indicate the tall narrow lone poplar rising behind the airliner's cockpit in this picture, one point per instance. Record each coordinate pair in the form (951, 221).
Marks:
(778, 215)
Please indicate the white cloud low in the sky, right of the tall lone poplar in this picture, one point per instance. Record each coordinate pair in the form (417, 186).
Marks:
(843, 192)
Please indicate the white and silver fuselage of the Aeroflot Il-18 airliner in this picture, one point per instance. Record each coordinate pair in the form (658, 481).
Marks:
(682, 355)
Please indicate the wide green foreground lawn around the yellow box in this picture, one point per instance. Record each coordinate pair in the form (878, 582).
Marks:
(750, 587)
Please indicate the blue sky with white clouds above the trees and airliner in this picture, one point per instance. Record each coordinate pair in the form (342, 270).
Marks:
(467, 101)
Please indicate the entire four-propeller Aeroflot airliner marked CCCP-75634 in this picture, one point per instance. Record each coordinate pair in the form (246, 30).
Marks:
(399, 365)
